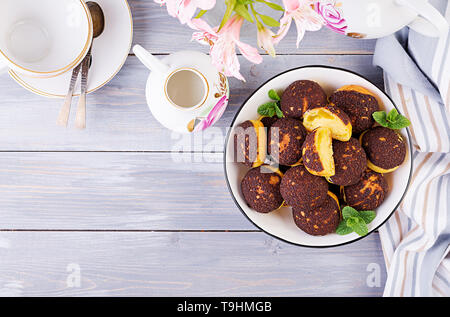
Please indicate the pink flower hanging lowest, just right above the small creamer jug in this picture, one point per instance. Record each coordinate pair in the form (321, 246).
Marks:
(223, 45)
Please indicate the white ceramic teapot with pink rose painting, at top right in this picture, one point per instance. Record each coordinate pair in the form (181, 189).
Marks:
(377, 18)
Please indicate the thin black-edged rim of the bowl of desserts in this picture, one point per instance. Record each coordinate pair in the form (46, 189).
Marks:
(227, 140)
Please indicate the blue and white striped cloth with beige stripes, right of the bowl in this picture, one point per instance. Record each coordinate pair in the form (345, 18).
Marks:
(416, 240)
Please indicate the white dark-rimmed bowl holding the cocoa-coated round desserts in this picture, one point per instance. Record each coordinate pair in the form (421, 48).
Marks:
(280, 223)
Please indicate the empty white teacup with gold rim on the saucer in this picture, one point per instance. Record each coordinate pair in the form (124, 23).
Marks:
(43, 38)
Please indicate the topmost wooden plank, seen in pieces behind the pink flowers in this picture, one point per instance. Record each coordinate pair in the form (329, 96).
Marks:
(156, 30)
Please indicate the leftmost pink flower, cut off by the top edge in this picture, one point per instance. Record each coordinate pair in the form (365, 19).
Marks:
(184, 10)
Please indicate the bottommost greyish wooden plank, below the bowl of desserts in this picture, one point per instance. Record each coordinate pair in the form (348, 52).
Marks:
(182, 264)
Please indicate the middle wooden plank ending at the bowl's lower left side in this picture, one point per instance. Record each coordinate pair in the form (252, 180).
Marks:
(116, 191)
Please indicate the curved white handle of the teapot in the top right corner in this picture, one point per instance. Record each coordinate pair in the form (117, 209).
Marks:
(428, 13)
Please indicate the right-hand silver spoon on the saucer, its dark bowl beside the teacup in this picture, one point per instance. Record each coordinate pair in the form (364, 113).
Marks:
(98, 21)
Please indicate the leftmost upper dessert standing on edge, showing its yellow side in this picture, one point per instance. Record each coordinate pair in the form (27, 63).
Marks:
(250, 143)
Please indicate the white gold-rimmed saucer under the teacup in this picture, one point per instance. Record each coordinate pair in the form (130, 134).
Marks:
(109, 52)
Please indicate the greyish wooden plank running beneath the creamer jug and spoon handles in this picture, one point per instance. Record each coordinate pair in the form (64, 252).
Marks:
(118, 118)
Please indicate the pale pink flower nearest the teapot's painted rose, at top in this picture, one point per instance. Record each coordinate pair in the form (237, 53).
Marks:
(304, 16)
